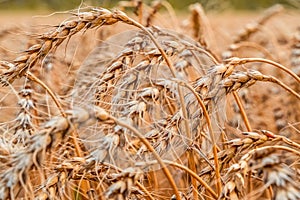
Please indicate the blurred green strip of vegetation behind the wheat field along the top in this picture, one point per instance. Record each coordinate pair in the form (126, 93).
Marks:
(177, 4)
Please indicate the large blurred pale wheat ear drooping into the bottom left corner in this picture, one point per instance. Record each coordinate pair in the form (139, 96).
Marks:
(18, 165)
